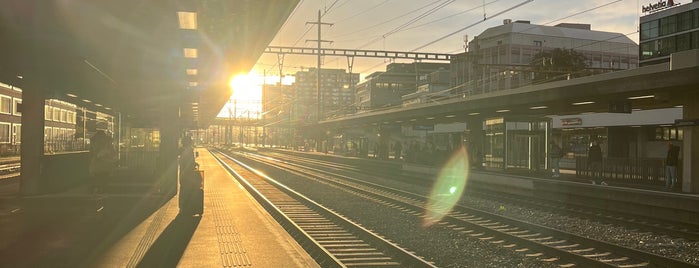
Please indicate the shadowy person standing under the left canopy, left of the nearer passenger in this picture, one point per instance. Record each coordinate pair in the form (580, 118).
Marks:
(103, 159)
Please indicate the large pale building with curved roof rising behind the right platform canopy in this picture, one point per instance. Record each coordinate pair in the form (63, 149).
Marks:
(501, 57)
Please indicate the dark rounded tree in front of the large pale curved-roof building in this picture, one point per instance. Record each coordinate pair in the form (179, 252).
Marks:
(558, 64)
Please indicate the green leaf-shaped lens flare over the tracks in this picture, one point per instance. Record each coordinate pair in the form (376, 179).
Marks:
(448, 188)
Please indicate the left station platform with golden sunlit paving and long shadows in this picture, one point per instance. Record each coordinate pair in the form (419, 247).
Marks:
(146, 230)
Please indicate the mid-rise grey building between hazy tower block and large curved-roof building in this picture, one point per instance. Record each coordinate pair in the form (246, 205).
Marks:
(386, 89)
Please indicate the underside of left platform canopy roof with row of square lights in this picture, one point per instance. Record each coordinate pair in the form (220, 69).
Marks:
(136, 57)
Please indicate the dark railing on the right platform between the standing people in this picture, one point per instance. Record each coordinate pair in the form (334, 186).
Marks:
(647, 171)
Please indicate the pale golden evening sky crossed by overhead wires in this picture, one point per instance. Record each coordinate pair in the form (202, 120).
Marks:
(435, 26)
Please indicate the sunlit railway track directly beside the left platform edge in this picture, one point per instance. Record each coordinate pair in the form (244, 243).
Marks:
(332, 239)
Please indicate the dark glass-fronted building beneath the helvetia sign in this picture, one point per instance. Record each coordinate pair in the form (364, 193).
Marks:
(668, 30)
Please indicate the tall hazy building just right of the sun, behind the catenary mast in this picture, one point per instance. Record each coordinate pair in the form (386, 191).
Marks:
(337, 93)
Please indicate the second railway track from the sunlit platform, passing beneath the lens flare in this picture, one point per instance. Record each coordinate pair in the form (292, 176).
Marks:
(547, 244)
